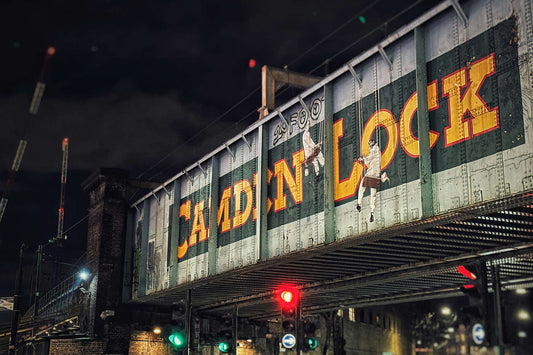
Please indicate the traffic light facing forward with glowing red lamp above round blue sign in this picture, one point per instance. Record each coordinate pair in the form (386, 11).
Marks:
(289, 299)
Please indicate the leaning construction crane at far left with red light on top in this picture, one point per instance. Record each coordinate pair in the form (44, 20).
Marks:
(34, 107)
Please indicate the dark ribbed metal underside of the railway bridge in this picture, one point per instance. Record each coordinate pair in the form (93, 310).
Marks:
(411, 262)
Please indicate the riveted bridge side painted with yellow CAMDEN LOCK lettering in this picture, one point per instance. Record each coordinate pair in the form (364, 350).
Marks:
(480, 143)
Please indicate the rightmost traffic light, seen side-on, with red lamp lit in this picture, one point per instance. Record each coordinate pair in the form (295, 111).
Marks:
(477, 311)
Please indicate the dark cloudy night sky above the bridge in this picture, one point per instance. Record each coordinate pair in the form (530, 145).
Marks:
(150, 87)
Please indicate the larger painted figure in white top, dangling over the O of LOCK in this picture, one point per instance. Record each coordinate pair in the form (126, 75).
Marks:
(372, 178)
